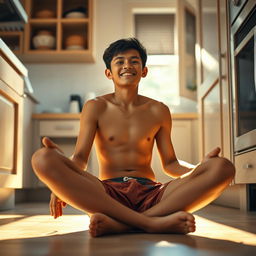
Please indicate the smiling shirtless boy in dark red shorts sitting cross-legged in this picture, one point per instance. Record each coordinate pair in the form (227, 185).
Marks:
(124, 126)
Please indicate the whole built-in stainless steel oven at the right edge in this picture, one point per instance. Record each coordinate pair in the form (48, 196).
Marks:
(243, 60)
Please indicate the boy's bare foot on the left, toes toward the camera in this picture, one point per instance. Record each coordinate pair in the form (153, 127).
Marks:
(101, 224)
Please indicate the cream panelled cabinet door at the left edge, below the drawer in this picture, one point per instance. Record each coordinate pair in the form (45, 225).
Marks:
(11, 109)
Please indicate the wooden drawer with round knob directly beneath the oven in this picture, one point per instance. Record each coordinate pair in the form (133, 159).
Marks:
(245, 168)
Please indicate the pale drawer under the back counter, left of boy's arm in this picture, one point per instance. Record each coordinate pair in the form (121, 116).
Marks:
(60, 128)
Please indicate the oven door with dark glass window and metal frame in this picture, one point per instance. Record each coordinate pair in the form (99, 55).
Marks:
(245, 92)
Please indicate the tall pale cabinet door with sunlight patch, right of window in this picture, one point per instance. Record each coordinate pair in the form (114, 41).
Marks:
(209, 91)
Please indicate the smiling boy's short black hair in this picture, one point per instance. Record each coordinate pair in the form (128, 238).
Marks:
(123, 45)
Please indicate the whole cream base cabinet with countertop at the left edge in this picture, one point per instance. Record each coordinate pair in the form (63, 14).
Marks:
(11, 117)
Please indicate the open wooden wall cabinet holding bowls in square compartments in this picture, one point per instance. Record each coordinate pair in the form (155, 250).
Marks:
(58, 31)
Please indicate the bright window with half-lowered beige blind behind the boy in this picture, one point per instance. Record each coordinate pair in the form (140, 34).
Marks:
(156, 33)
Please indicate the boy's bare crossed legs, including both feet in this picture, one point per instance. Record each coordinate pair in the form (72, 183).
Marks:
(170, 215)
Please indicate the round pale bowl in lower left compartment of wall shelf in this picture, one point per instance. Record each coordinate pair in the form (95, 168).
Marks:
(44, 40)
